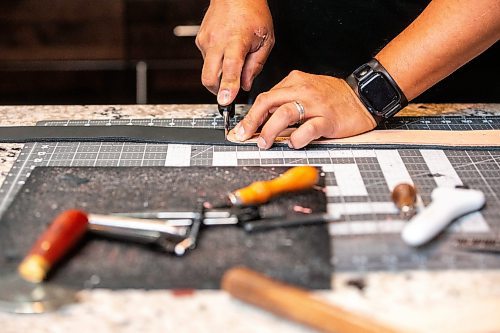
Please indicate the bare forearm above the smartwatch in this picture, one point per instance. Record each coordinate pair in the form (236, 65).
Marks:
(444, 37)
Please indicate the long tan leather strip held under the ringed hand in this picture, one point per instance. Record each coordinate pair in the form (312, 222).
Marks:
(433, 138)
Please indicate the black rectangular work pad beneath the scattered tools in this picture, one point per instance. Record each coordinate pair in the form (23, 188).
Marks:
(298, 255)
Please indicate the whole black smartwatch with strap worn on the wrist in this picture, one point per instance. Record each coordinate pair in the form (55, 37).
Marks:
(377, 90)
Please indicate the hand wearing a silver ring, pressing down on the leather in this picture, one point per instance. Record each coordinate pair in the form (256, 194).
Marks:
(332, 110)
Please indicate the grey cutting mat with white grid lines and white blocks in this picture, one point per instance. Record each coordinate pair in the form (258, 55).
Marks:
(367, 237)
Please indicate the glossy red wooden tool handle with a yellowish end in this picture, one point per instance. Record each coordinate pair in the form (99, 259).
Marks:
(67, 228)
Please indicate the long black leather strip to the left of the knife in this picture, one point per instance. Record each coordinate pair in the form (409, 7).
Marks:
(115, 133)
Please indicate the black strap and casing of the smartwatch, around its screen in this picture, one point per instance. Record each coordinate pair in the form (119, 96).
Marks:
(362, 74)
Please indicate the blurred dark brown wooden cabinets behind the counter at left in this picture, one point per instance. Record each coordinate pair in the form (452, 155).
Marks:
(87, 51)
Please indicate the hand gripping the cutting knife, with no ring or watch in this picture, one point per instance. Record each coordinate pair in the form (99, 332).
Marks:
(235, 39)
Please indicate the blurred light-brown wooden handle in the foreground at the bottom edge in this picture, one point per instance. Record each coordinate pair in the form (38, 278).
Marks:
(295, 304)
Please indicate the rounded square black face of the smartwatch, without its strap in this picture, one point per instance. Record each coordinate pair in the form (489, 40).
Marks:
(378, 92)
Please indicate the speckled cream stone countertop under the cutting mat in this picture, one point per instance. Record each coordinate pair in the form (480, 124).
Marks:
(416, 301)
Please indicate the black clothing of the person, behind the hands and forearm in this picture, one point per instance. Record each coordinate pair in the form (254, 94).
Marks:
(336, 36)
